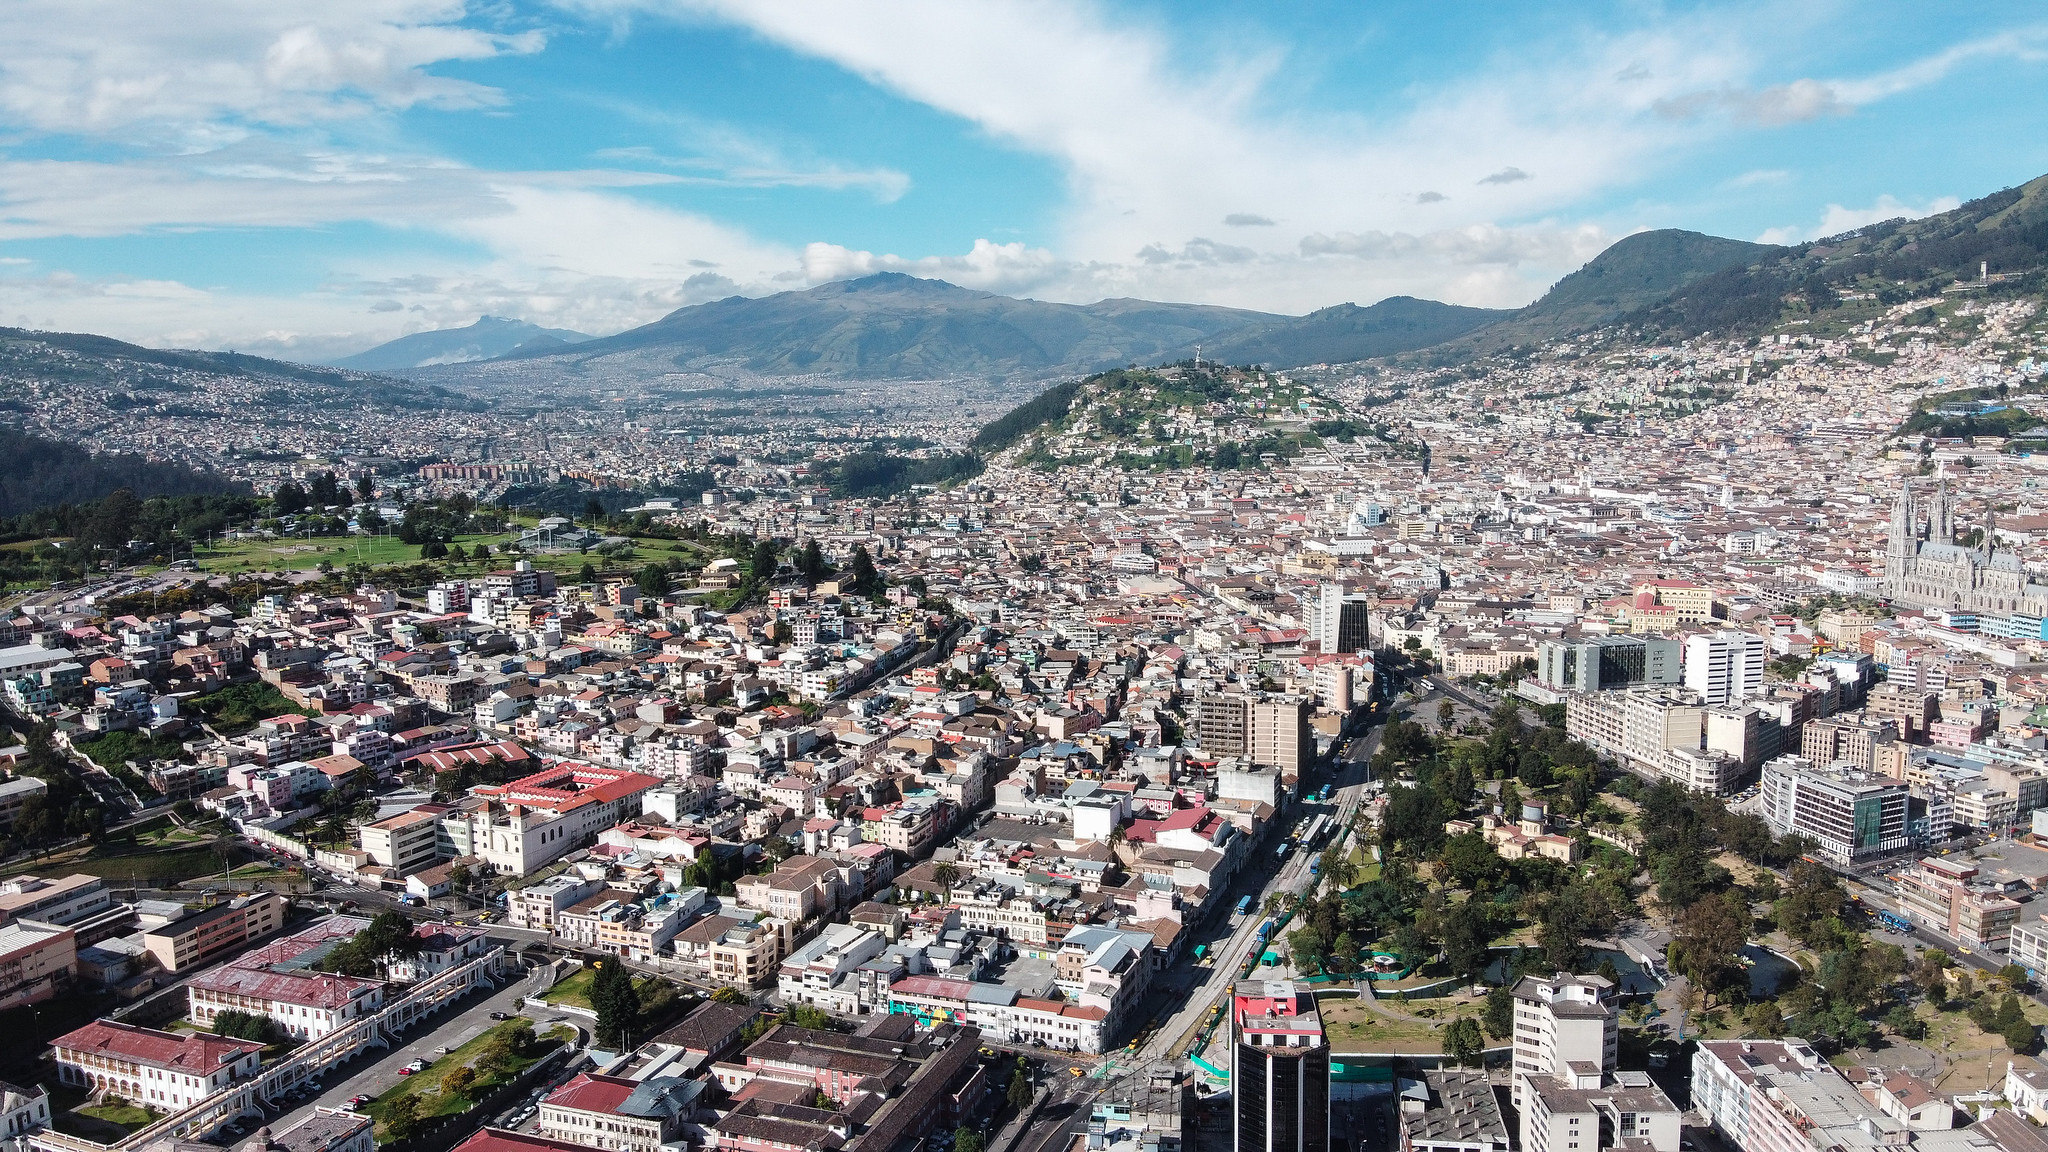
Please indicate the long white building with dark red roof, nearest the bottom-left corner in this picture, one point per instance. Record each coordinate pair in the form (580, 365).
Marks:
(157, 1069)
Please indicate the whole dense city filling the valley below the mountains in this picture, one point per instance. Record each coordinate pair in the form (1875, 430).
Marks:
(1598, 747)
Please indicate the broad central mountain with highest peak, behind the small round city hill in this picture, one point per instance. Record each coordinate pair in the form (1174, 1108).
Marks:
(912, 329)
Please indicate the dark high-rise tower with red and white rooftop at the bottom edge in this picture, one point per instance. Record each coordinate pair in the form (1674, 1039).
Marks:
(1279, 1069)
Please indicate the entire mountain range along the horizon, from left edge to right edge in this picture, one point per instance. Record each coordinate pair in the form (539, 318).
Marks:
(1664, 286)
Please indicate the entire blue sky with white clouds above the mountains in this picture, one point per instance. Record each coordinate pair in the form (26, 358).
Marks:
(310, 179)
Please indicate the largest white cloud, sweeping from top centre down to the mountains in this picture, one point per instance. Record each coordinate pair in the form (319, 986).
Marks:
(1158, 153)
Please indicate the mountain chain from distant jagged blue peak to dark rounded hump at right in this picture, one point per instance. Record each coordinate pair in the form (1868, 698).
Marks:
(896, 327)
